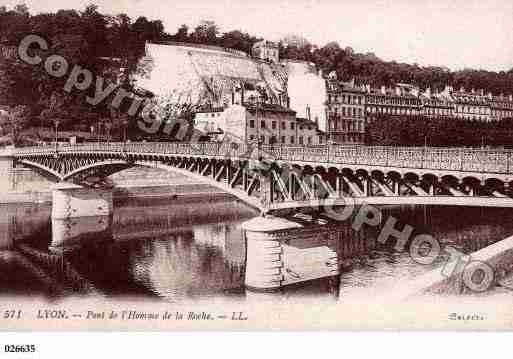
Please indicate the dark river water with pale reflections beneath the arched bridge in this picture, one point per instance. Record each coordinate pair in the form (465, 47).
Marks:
(175, 252)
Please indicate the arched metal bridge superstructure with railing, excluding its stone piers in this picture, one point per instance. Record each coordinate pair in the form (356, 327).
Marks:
(412, 164)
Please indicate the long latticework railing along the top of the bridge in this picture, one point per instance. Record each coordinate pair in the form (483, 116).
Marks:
(455, 159)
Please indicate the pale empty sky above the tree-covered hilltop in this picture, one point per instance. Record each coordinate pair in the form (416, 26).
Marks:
(454, 33)
